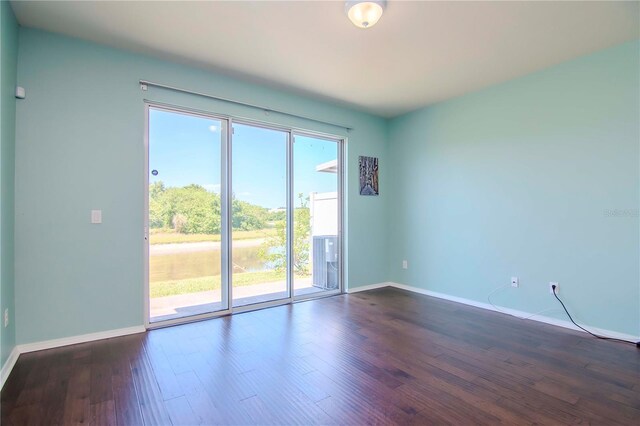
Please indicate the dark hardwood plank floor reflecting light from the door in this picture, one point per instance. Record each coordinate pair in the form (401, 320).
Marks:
(379, 357)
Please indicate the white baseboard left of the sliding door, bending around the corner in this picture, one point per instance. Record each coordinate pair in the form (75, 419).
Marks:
(55, 343)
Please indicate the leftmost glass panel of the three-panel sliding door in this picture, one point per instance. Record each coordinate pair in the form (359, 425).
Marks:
(185, 215)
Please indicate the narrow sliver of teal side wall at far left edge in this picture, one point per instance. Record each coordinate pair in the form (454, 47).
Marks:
(8, 71)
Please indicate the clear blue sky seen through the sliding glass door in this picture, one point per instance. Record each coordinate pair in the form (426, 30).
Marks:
(186, 149)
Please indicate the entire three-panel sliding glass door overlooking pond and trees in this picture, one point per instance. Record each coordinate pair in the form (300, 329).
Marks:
(238, 219)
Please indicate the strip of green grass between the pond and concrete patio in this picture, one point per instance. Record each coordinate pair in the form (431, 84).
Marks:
(195, 285)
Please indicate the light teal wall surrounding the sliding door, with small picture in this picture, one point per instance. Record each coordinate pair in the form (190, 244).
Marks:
(80, 147)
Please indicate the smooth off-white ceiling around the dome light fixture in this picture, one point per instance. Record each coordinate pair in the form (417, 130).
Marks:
(421, 52)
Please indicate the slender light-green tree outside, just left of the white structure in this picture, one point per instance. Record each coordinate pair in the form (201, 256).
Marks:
(273, 250)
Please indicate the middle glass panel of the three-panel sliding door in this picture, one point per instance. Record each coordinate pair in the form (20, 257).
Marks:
(258, 214)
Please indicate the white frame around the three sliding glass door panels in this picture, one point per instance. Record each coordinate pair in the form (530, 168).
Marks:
(226, 219)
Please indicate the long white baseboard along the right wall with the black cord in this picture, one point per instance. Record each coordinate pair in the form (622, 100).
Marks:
(517, 313)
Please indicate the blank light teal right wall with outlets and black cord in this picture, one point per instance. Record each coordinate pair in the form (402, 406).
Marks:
(516, 180)
